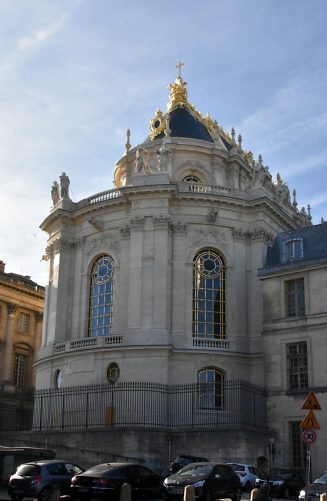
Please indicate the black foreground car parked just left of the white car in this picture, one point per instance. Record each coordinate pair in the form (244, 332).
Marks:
(210, 481)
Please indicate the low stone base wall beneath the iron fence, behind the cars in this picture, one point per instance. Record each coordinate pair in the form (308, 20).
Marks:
(156, 448)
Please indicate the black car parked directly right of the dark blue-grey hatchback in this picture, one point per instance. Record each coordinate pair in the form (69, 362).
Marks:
(105, 481)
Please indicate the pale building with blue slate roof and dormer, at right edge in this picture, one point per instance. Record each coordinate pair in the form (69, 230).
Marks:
(294, 286)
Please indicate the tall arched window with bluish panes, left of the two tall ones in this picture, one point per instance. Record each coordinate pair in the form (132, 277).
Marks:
(101, 297)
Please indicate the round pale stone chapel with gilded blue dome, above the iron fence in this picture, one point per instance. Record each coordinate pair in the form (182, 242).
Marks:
(187, 190)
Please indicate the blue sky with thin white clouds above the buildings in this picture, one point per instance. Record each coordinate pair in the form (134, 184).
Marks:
(76, 74)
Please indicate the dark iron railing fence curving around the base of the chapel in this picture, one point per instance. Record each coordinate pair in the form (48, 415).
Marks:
(138, 404)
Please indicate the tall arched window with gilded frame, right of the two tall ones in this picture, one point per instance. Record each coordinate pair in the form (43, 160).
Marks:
(208, 295)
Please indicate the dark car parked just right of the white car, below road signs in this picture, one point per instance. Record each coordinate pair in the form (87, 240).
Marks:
(283, 482)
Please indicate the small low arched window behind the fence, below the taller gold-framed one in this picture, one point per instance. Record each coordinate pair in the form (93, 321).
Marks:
(211, 388)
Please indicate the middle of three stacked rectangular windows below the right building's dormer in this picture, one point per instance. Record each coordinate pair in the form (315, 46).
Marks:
(297, 365)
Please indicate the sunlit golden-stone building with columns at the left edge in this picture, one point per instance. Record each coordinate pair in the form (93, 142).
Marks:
(21, 315)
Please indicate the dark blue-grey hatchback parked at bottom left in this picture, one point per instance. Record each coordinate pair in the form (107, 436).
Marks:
(36, 479)
